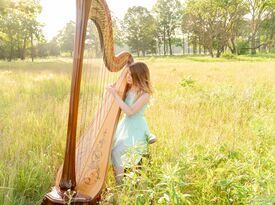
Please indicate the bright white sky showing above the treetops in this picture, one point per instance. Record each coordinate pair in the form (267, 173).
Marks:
(56, 13)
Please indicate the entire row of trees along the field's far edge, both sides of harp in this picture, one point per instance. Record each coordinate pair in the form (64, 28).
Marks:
(209, 27)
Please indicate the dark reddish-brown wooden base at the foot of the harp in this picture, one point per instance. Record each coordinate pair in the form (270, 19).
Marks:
(55, 197)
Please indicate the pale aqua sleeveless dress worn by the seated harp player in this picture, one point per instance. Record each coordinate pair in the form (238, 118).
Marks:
(131, 137)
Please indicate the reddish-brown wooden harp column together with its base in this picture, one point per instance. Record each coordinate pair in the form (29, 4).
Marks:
(68, 179)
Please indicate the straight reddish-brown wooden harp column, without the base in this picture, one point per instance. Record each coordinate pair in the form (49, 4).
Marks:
(68, 180)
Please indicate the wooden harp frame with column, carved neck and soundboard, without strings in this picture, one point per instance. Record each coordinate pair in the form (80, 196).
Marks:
(85, 180)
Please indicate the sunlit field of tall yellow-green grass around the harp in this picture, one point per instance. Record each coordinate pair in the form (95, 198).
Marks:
(214, 119)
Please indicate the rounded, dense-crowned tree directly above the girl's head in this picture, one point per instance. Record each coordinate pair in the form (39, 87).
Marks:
(140, 30)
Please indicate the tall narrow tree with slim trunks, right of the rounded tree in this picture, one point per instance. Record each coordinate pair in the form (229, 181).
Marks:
(168, 15)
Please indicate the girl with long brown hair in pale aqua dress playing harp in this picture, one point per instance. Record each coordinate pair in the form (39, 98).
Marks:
(132, 134)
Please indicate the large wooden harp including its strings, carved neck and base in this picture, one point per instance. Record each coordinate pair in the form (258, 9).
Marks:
(83, 173)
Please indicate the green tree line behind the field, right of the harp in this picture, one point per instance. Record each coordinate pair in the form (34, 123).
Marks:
(201, 26)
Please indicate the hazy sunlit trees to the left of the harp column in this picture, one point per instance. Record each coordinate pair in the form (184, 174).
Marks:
(21, 33)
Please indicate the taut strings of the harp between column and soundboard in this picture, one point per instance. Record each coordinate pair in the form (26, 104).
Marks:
(93, 97)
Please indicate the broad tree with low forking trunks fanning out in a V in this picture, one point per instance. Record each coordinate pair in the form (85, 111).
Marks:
(214, 22)
